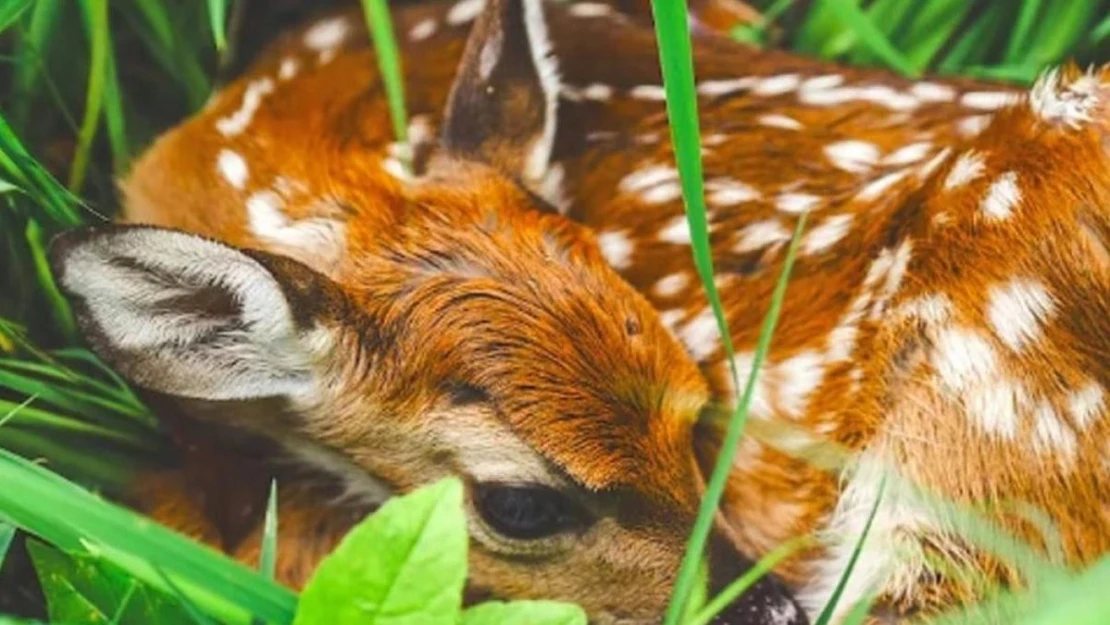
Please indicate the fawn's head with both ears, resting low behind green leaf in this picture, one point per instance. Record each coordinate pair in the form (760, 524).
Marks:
(465, 330)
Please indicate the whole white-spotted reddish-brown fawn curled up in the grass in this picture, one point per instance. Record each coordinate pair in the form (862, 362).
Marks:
(522, 309)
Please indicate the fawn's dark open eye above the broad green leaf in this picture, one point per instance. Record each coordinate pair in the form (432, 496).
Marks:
(527, 512)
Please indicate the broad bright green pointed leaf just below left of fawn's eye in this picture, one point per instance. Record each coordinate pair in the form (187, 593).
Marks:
(403, 566)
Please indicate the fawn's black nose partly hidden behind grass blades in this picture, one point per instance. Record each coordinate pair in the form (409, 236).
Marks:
(768, 602)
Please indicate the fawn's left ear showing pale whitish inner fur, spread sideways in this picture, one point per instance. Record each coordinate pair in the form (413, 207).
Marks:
(188, 317)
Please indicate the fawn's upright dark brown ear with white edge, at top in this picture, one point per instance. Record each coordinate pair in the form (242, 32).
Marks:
(503, 104)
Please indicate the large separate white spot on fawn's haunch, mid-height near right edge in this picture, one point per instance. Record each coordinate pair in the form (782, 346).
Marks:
(1017, 311)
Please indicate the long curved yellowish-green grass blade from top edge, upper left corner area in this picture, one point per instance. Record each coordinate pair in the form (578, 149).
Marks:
(96, 13)
